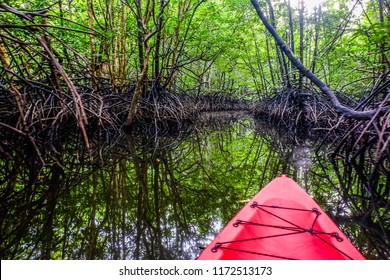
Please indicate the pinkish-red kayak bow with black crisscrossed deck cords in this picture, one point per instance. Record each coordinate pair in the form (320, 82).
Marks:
(281, 222)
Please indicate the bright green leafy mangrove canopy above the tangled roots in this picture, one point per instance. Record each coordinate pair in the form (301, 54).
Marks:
(216, 45)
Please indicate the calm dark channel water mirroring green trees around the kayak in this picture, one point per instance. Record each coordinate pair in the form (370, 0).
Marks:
(161, 197)
